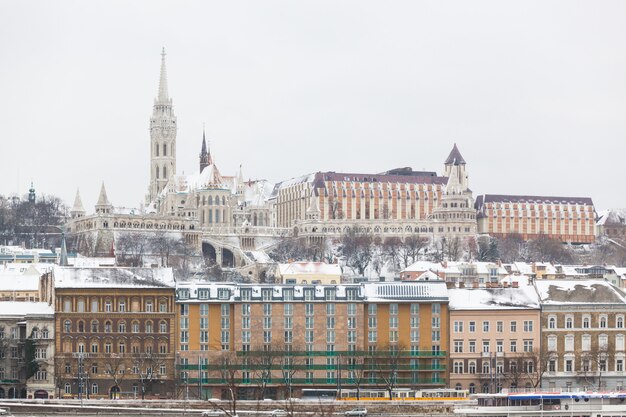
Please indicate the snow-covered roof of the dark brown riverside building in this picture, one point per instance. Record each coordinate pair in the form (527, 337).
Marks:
(116, 277)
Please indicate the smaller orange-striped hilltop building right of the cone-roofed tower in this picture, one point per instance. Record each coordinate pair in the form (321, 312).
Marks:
(568, 219)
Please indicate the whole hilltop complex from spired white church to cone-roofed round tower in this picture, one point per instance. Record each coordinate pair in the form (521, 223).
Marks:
(228, 217)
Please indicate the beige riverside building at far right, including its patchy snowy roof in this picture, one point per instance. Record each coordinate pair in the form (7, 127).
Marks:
(582, 330)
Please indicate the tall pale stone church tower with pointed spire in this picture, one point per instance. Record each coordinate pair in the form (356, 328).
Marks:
(162, 138)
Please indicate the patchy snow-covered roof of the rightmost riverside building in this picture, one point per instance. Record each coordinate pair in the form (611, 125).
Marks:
(576, 291)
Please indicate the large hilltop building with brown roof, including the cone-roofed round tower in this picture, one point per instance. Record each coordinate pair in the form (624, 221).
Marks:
(400, 202)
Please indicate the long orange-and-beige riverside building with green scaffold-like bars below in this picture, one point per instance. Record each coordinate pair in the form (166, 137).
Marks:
(279, 339)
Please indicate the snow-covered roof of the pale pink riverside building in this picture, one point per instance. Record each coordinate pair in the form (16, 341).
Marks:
(523, 297)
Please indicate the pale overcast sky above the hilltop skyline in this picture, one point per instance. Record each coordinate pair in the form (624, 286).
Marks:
(533, 92)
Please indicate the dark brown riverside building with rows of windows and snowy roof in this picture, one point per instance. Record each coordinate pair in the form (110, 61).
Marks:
(115, 332)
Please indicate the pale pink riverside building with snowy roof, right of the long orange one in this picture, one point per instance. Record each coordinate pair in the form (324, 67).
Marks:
(494, 338)
